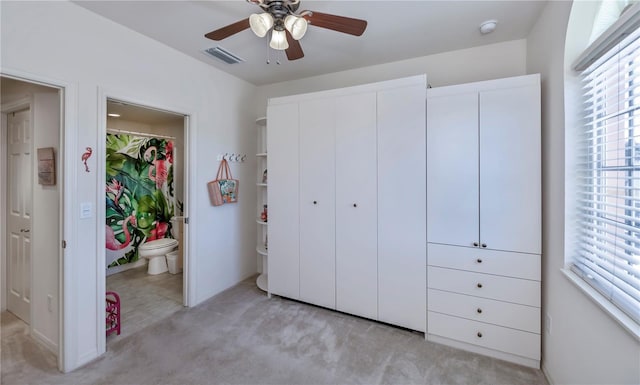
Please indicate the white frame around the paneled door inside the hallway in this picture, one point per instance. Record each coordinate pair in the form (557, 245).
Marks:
(5, 110)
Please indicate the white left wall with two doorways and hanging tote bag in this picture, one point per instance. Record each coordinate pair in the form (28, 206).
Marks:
(59, 40)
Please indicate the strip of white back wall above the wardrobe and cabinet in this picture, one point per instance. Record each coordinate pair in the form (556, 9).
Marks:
(454, 67)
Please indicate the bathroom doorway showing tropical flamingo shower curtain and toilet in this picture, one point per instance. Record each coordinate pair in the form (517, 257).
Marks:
(145, 199)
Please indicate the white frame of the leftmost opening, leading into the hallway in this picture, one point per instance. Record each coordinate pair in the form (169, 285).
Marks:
(68, 95)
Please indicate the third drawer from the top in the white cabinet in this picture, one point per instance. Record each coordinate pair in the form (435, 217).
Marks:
(500, 313)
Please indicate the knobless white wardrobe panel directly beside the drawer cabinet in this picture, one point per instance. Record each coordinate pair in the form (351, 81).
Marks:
(402, 265)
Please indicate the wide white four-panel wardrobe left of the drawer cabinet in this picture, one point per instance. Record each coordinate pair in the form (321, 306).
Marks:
(347, 210)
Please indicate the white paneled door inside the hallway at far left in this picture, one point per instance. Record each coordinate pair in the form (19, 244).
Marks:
(19, 214)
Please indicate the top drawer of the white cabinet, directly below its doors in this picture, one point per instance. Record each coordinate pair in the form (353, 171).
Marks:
(504, 263)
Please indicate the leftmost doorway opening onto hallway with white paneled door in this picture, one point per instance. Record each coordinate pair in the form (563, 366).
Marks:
(30, 215)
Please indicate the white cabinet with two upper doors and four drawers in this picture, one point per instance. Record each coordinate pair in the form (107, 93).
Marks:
(484, 217)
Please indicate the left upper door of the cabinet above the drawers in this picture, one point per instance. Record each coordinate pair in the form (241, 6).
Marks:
(452, 169)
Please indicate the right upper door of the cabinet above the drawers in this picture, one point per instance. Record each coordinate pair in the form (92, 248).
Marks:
(510, 197)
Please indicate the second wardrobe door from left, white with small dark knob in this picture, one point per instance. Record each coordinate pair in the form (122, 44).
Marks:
(317, 202)
